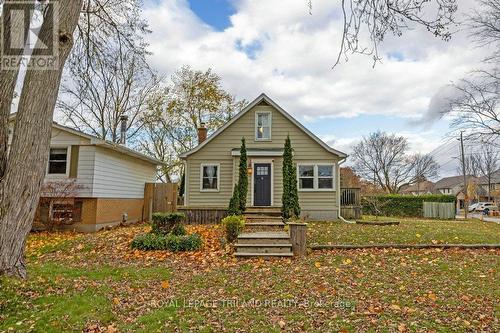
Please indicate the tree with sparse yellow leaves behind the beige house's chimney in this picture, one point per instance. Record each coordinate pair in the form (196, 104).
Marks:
(176, 113)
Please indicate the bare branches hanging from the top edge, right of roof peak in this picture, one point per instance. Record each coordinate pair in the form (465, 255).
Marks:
(378, 18)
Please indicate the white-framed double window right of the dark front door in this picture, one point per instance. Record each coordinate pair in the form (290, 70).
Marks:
(316, 177)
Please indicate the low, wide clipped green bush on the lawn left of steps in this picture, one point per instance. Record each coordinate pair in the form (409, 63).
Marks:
(168, 242)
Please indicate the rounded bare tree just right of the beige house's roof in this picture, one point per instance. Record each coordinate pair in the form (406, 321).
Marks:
(384, 158)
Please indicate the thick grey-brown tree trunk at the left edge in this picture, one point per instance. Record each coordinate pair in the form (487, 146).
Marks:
(27, 160)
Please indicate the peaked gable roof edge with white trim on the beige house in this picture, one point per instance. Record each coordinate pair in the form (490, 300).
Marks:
(267, 99)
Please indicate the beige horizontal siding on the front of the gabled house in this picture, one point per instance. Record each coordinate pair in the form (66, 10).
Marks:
(316, 204)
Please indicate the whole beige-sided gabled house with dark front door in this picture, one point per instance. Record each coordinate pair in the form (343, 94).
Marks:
(212, 167)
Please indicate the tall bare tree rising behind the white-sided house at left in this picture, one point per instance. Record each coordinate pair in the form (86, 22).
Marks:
(107, 75)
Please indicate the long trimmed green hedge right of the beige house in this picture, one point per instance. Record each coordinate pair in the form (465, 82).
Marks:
(403, 205)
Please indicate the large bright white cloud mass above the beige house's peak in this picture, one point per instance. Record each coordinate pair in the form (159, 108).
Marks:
(294, 57)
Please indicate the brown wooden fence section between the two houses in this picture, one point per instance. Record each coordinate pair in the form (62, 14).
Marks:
(159, 198)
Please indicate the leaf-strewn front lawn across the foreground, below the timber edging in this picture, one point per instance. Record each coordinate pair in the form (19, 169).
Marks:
(96, 283)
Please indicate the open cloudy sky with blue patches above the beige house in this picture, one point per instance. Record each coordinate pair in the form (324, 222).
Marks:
(284, 50)
